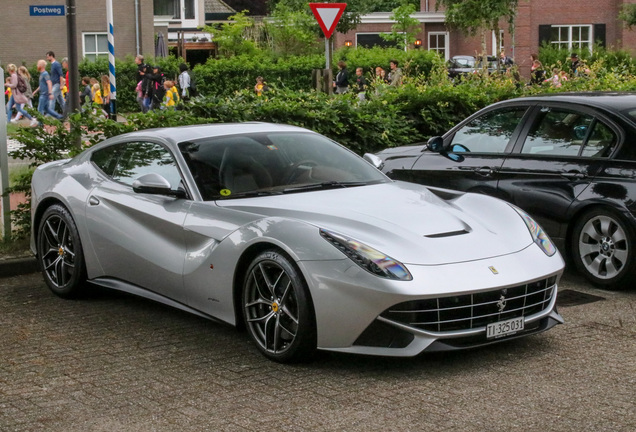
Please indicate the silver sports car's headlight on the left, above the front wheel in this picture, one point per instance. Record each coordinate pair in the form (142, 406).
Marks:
(371, 260)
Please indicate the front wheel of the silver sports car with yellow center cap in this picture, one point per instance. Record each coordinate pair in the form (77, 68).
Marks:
(277, 309)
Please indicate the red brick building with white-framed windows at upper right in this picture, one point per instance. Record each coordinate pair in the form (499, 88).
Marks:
(566, 22)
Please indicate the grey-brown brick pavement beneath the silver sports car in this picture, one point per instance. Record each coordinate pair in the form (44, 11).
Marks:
(113, 362)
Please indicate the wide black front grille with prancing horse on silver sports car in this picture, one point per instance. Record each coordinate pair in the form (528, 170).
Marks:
(469, 311)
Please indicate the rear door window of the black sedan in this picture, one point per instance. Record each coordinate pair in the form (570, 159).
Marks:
(558, 132)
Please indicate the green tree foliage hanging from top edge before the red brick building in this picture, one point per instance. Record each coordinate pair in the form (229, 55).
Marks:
(470, 16)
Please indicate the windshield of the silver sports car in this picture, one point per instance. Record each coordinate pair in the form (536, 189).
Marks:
(259, 164)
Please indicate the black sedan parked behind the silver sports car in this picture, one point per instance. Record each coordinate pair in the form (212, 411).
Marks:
(569, 160)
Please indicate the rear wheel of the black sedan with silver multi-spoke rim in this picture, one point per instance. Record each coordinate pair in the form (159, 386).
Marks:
(603, 249)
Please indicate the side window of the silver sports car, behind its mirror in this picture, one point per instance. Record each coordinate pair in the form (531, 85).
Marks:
(141, 158)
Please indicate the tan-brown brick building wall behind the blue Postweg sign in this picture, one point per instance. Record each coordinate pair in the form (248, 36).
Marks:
(26, 39)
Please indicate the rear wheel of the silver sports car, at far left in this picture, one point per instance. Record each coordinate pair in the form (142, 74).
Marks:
(59, 252)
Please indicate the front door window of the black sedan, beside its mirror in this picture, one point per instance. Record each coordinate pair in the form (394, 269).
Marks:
(491, 132)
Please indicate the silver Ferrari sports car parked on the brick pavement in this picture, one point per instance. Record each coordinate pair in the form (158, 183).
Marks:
(296, 238)
